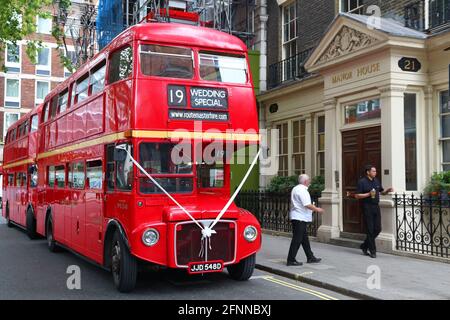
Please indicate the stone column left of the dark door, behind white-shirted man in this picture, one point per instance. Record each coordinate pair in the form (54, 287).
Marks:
(330, 196)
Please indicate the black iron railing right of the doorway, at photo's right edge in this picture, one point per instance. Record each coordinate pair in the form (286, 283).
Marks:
(423, 224)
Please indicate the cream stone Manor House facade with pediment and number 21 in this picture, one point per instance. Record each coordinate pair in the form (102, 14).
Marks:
(367, 91)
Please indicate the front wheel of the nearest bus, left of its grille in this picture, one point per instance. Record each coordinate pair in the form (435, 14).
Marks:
(123, 265)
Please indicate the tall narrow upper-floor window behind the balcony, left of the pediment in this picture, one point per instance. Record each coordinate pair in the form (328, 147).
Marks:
(290, 20)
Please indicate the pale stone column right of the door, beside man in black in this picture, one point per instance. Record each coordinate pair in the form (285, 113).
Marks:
(392, 168)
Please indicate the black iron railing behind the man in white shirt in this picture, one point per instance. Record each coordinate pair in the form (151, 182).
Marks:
(272, 210)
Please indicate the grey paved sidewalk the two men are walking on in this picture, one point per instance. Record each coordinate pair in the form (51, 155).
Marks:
(348, 271)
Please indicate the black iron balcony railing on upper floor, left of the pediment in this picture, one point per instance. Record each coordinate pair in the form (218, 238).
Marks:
(292, 68)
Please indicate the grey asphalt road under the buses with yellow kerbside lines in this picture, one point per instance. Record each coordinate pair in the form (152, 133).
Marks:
(29, 271)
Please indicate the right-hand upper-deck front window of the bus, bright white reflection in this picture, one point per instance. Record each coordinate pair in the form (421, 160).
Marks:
(223, 68)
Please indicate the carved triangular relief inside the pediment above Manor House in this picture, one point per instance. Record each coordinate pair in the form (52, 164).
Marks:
(346, 41)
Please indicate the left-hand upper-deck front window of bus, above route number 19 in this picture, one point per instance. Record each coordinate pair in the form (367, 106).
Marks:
(169, 62)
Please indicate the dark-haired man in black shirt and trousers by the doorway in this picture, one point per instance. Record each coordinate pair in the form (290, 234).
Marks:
(369, 189)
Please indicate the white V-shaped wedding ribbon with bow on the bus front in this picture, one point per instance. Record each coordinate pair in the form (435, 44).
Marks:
(207, 231)
